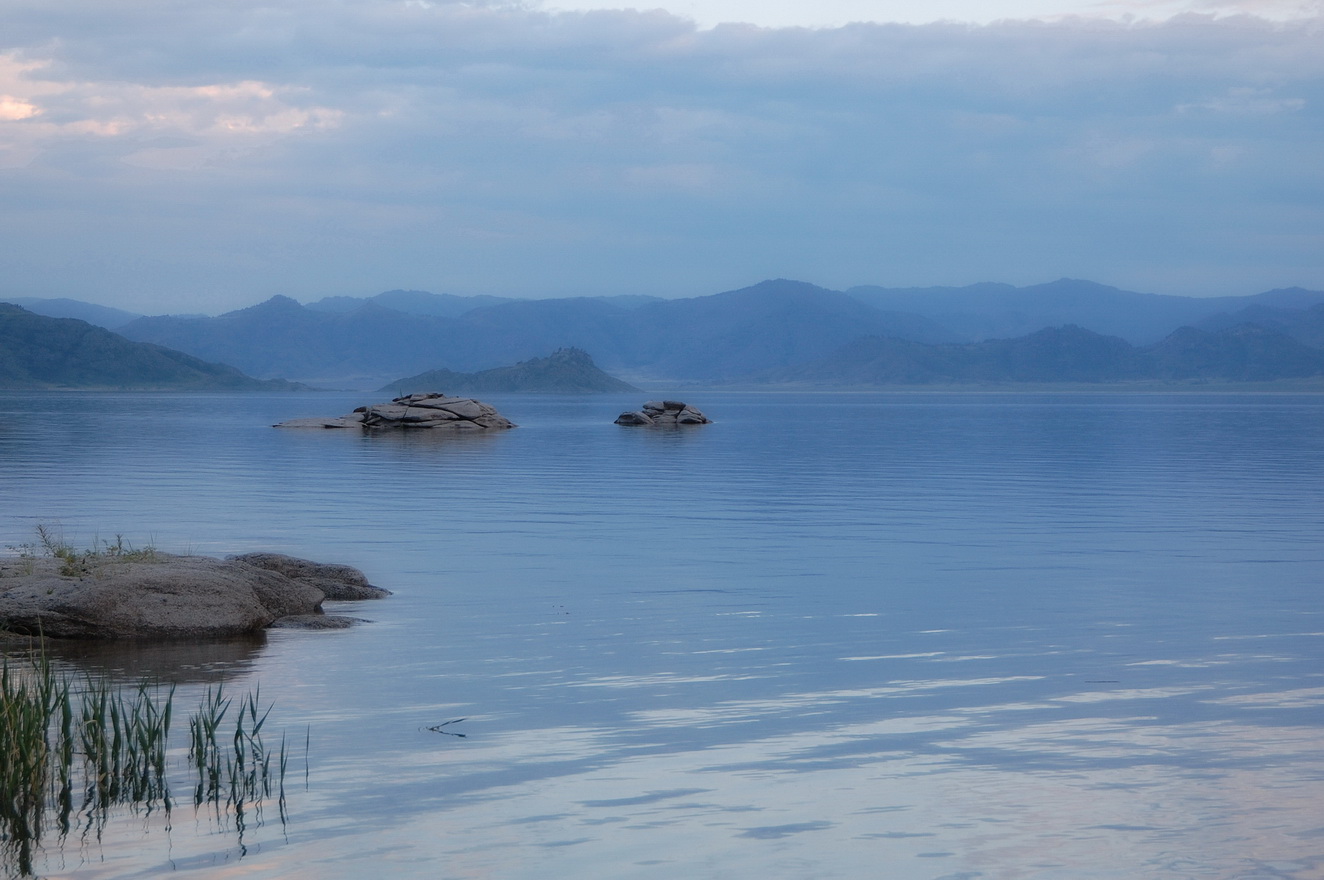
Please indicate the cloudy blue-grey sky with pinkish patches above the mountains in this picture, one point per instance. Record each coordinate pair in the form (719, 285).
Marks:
(199, 157)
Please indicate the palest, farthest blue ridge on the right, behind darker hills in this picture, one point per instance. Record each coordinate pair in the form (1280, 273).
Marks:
(992, 312)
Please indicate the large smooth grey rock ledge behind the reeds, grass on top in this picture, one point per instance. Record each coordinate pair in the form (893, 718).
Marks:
(174, 597)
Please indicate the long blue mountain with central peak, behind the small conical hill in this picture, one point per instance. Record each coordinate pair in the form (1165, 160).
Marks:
(704, 339)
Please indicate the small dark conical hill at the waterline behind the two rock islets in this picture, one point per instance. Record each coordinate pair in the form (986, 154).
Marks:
(567, 371)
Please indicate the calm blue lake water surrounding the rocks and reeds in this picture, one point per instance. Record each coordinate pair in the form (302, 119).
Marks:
(845, 636)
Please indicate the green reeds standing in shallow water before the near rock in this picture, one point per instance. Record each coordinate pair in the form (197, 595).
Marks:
(75, 750)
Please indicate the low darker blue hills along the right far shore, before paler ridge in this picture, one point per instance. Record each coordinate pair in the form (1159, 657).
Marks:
(1064, 355)
